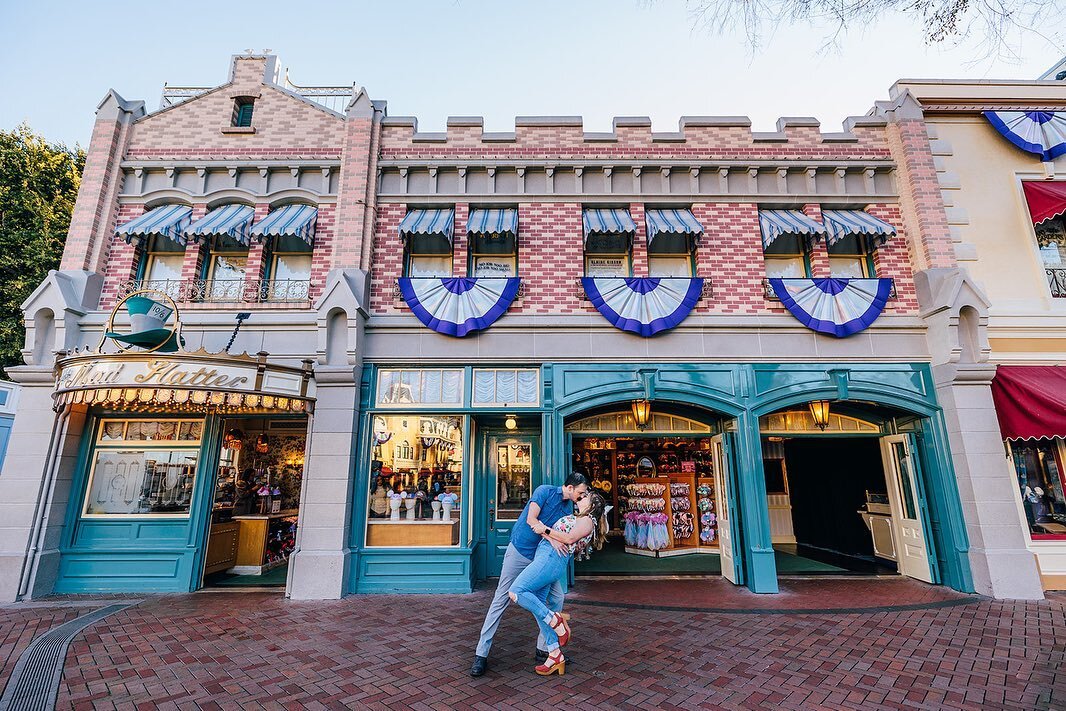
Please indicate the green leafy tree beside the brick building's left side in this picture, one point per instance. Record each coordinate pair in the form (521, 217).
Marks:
(39, 184)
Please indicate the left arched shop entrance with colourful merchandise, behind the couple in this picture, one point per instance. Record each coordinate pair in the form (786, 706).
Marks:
(670, 487)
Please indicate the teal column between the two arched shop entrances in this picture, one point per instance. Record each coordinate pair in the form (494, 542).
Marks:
(761, 569)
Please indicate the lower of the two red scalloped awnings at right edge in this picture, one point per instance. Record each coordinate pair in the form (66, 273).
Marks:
(1031, 401)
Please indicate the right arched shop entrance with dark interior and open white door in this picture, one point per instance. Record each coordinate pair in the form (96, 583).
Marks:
(844, 500)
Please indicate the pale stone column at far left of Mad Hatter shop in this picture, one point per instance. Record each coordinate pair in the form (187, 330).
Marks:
(36, 487)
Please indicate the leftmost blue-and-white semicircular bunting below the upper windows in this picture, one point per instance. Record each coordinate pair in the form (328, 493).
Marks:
(458, 306)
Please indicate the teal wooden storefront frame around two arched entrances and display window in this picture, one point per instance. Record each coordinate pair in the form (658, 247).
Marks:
(738, 394)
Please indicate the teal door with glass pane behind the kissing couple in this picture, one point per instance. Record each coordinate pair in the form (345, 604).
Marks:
(512, 473)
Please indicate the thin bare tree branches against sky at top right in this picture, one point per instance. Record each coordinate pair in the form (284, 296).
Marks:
(998, 25)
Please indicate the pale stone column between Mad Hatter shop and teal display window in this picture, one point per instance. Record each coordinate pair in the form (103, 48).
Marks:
(319, 568)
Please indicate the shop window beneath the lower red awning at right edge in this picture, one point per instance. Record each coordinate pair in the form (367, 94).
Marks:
(1039, 467)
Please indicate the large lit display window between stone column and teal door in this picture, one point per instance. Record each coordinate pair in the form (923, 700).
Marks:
(416, 481)
